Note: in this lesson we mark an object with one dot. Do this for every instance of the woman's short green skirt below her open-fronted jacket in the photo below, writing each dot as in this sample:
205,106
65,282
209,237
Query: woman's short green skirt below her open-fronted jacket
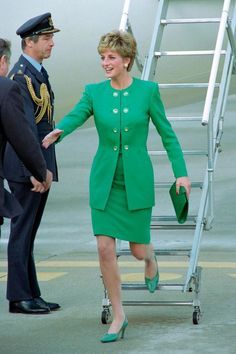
116,220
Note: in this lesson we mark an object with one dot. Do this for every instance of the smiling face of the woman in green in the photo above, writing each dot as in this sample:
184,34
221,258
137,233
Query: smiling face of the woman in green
113,64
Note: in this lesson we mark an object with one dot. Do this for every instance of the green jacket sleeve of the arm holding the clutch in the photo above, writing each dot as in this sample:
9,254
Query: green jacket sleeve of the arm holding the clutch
168,136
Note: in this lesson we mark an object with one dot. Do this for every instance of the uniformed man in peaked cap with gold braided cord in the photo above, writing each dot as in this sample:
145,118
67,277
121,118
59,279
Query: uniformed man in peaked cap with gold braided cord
22,285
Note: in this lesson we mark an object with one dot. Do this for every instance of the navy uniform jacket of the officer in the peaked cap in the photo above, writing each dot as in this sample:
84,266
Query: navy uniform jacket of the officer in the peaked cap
14,169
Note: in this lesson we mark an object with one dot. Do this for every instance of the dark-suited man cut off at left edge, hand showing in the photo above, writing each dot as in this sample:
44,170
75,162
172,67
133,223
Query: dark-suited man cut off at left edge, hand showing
15,129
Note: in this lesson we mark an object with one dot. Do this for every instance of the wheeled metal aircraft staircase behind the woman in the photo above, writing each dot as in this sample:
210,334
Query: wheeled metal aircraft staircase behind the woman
211,122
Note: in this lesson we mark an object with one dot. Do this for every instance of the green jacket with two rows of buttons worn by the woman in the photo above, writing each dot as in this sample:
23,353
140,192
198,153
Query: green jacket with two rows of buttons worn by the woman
122,121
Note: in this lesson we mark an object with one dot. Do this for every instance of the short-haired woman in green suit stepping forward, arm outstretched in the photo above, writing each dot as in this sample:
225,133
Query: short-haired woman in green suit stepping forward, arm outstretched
121,179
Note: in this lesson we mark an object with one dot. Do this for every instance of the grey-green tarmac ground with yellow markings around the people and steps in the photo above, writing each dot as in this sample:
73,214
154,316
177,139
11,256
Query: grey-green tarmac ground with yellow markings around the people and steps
68,270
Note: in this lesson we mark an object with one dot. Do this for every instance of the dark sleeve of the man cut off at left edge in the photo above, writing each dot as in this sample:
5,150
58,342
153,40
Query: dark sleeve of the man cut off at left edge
19,134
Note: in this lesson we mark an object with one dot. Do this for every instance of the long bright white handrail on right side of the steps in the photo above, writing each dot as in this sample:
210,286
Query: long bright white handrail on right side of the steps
215,63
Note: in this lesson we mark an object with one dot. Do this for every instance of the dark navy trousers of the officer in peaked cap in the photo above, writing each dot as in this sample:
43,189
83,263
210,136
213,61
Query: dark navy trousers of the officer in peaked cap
21,264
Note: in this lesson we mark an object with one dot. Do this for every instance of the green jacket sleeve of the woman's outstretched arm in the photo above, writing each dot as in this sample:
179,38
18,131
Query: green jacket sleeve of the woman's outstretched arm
77,116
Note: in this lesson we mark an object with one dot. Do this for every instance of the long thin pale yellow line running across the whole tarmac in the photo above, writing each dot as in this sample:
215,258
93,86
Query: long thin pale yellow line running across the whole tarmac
129,264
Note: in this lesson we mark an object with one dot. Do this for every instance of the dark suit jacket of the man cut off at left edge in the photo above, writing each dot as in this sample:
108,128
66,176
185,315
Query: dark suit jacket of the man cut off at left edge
12,121
